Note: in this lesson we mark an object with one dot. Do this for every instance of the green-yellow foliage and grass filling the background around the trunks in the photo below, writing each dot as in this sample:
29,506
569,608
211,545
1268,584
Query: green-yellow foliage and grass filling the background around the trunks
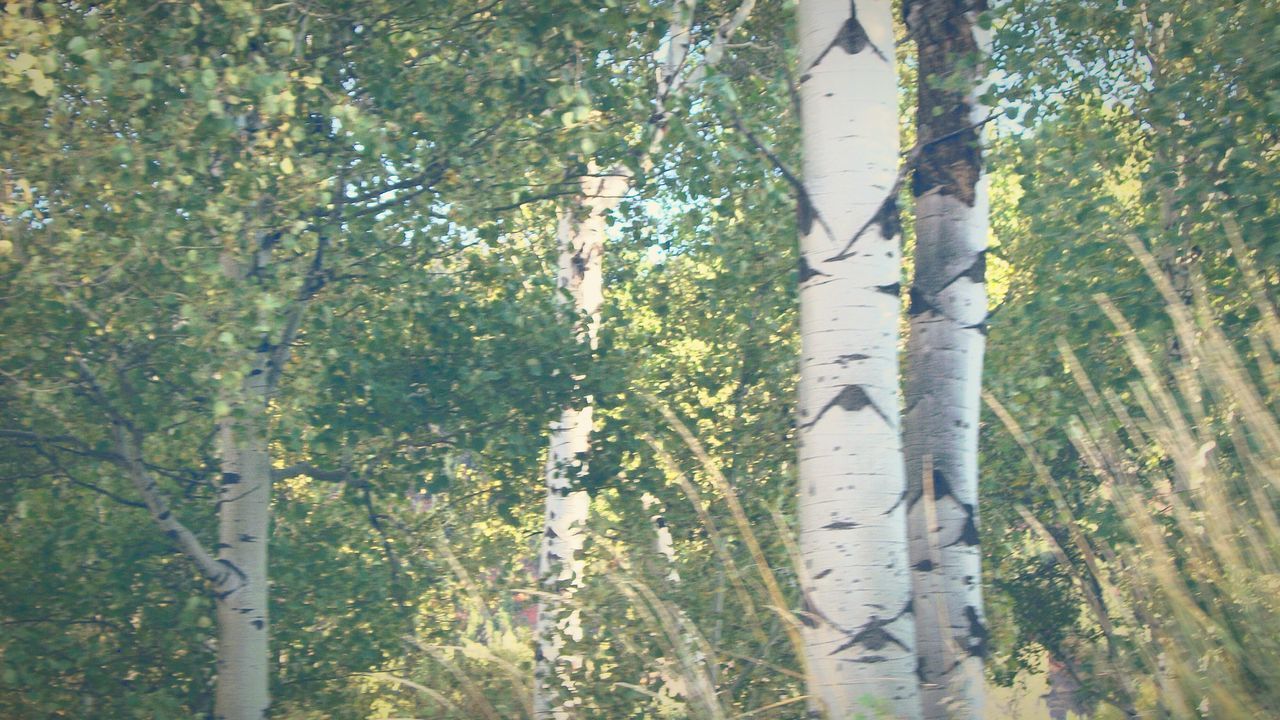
387,174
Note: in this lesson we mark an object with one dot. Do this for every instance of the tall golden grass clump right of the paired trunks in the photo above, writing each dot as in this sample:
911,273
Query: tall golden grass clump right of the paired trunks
1188,604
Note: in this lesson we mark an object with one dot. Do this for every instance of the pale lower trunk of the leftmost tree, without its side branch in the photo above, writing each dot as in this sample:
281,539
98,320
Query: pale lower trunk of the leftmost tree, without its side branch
244,518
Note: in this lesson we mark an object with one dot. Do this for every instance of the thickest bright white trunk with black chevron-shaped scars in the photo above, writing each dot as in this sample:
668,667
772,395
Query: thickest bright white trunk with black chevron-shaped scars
861,641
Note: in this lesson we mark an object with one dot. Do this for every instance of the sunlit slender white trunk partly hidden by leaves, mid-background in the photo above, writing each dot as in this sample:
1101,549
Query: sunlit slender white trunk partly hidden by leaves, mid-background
582,236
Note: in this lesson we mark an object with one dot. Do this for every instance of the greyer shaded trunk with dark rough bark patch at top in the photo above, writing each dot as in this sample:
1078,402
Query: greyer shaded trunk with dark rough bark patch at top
945,352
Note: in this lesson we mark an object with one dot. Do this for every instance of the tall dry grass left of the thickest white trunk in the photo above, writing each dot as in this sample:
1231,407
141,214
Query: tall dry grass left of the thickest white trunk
720,644
